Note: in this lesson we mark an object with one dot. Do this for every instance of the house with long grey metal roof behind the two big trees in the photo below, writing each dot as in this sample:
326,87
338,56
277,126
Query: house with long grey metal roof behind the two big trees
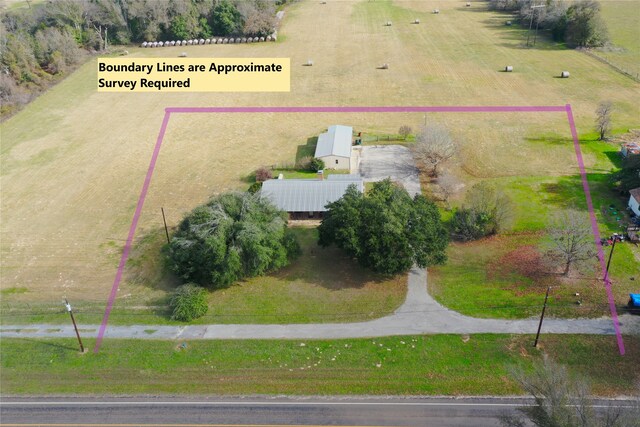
307,198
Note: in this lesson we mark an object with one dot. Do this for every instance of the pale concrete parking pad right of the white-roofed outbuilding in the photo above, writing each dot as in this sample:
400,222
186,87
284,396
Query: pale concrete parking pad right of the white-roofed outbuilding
378,162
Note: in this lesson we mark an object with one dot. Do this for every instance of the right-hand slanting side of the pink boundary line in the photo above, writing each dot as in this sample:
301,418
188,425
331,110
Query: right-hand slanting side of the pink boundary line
595,229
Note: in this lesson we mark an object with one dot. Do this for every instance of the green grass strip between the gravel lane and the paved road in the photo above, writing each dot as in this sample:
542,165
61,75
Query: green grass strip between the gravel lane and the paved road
410,365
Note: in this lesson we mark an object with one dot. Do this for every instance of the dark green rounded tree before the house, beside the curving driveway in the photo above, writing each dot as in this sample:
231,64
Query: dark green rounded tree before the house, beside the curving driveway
386,230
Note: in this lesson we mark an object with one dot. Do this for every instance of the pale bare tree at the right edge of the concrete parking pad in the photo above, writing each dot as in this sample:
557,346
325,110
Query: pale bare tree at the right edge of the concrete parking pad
433,146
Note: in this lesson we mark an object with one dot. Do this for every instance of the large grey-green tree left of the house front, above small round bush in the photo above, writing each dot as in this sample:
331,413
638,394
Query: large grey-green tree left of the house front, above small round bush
235,235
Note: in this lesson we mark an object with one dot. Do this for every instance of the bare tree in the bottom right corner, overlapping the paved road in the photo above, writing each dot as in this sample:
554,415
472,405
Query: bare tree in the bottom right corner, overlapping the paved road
563,401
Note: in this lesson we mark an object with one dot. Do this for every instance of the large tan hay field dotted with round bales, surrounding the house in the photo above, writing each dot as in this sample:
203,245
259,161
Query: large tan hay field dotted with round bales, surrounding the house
73,162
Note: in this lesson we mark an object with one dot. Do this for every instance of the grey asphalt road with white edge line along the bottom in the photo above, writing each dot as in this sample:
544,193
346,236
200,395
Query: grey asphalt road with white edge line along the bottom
260,411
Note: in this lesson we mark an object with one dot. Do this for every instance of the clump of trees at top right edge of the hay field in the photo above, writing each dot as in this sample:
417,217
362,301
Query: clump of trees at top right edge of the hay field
579,23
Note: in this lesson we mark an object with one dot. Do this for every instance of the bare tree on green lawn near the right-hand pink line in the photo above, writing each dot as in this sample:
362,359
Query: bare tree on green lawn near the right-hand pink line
572,240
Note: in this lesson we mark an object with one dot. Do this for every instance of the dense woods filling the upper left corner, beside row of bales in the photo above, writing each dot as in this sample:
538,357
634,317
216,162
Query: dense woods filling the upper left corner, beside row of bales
47,40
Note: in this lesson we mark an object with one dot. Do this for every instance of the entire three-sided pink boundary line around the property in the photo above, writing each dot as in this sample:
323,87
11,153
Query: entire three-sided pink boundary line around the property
459,109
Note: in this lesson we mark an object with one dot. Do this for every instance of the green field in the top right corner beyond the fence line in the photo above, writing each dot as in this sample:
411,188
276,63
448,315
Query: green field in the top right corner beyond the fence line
623,21
